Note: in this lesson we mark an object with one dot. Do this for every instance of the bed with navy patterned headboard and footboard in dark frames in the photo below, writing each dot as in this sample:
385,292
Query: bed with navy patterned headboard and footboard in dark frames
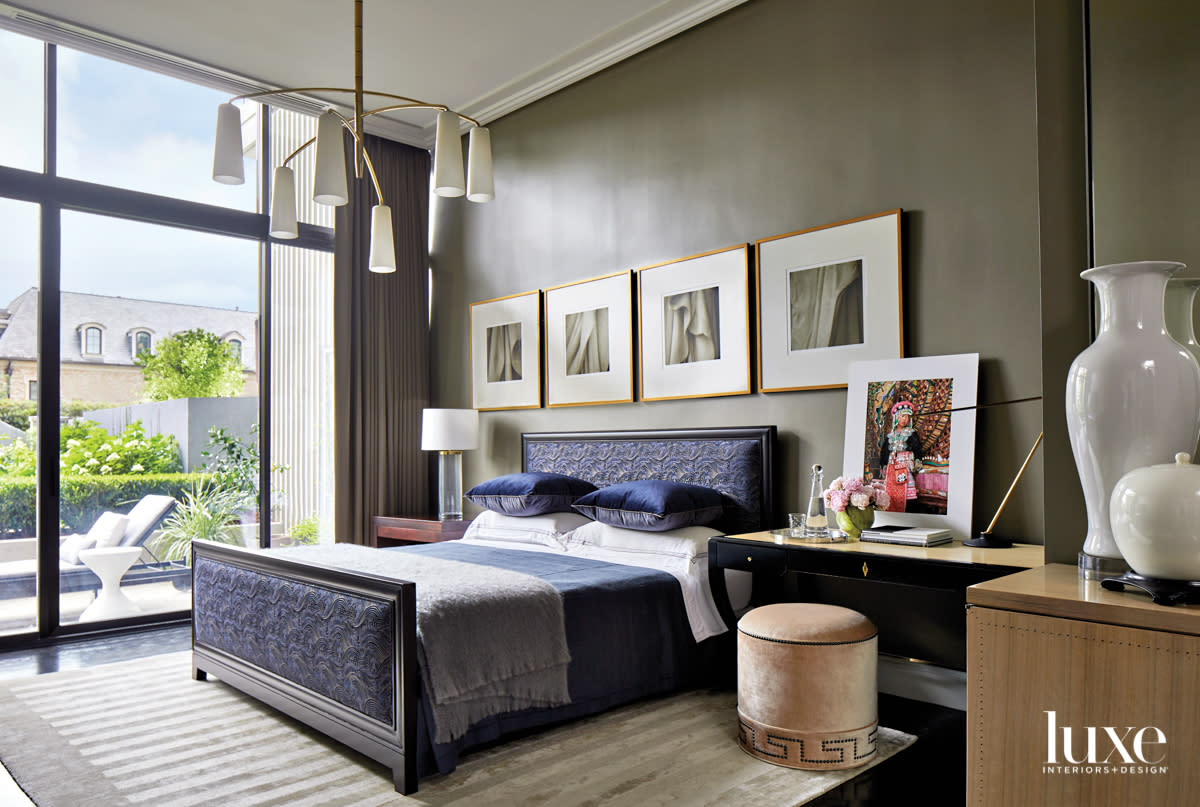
338,649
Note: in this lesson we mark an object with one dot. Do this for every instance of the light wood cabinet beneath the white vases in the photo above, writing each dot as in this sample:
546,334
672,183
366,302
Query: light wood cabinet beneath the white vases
1071,689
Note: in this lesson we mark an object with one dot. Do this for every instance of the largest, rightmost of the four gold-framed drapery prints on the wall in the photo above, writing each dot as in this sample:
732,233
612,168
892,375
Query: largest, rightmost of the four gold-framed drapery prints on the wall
827,297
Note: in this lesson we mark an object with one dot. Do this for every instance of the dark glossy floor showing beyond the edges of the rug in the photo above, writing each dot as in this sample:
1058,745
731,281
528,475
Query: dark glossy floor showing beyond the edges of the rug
932,772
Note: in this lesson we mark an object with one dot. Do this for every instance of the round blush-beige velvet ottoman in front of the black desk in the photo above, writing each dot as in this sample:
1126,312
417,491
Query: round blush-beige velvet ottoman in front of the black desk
807,694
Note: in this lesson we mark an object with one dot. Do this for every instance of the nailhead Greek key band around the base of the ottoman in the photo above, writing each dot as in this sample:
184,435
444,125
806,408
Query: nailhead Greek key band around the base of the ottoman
808,750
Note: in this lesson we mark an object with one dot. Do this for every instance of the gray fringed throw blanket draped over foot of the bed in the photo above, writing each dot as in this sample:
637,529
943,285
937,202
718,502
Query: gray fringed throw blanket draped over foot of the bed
489,641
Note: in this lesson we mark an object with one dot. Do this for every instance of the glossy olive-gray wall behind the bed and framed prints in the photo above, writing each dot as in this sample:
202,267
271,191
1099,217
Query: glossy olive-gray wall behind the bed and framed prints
776,117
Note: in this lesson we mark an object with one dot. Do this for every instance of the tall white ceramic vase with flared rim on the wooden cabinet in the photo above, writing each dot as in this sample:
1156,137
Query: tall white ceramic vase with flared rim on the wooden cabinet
1133,397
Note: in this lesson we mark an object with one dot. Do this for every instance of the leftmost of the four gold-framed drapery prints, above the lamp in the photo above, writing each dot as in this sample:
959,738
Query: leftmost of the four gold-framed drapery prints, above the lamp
506,352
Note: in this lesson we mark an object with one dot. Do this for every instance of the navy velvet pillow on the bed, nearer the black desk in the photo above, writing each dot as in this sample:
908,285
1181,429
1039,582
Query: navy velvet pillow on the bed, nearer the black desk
653,505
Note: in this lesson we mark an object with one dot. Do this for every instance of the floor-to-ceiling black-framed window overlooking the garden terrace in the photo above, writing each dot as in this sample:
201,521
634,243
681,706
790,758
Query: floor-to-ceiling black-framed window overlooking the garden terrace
137,343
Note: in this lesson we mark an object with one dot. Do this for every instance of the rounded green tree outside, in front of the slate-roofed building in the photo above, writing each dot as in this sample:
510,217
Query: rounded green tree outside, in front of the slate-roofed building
191,364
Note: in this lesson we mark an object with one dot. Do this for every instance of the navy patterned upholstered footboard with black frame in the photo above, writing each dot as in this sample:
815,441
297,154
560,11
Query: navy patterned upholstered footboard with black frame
333,649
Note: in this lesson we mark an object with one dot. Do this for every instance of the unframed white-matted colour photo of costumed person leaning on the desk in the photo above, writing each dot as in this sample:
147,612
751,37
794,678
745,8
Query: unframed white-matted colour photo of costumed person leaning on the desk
902,435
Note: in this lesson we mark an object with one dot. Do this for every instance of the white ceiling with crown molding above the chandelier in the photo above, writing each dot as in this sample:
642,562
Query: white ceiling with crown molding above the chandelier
482,58
